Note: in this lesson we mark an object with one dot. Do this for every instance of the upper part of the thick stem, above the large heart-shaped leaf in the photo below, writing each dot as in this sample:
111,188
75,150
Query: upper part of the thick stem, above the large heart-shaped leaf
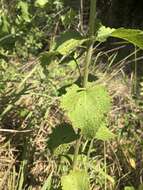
92,20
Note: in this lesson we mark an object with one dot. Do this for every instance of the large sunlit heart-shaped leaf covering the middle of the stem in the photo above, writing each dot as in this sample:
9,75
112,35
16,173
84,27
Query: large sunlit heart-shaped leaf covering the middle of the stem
86,108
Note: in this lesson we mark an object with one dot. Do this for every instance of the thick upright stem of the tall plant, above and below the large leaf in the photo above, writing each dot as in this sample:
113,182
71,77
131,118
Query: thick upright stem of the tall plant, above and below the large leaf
92,20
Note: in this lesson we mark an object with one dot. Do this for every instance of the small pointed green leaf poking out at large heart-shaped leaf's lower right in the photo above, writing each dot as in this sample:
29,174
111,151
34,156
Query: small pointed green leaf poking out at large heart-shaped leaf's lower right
104,134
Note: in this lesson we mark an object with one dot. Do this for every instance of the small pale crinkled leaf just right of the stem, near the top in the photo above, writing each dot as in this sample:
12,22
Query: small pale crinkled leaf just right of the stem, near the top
103,33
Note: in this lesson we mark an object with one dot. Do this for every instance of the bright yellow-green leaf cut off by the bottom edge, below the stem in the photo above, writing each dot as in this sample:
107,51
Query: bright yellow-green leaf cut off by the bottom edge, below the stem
75,180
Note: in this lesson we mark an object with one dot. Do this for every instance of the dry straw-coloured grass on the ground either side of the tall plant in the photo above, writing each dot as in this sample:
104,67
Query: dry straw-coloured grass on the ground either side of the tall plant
25,161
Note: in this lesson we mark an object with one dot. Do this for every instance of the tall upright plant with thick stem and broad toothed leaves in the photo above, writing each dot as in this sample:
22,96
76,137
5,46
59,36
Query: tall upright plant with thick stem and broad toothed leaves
87,105
